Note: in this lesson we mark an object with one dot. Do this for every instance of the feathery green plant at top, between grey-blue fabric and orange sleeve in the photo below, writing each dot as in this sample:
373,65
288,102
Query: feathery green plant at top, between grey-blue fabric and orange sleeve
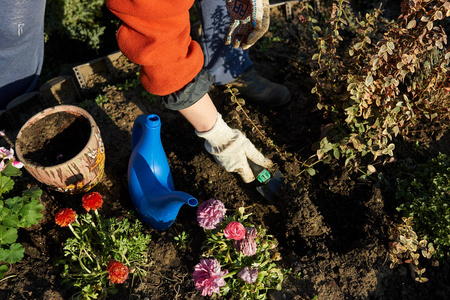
76,19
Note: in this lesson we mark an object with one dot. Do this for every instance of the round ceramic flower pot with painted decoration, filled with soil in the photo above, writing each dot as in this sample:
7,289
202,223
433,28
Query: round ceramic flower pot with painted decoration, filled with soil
62,148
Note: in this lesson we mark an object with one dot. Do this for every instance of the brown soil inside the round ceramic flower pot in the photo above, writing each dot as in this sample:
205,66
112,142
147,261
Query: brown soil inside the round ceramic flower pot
55,139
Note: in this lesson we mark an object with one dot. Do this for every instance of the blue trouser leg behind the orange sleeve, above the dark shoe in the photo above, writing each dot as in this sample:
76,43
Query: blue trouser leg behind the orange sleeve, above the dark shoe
223,62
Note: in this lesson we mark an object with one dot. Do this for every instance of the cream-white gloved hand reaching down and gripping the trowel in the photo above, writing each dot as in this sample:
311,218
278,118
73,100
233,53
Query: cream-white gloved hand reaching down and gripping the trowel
231,149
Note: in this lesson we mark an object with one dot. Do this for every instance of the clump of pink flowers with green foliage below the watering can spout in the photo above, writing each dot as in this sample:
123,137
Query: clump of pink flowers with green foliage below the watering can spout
239,257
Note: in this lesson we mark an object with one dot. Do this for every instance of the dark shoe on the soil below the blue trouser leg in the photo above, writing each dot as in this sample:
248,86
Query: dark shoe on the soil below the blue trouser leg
261,91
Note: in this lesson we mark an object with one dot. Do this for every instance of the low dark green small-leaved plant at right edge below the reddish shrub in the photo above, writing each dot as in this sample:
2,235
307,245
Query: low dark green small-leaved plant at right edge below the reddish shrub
425,195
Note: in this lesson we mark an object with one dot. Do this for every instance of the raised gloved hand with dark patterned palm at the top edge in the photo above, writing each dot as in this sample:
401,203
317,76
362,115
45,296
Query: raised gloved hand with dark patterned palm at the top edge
249,21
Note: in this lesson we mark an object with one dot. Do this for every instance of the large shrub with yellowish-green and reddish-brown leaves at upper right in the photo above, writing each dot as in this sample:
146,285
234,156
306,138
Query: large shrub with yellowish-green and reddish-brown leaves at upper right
376,79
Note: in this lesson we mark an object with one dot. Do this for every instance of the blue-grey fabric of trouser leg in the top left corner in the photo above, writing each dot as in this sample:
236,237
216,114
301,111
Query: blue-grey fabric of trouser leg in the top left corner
21,47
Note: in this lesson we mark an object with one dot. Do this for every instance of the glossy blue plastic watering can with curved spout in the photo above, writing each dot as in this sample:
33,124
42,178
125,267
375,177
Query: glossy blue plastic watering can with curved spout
149,178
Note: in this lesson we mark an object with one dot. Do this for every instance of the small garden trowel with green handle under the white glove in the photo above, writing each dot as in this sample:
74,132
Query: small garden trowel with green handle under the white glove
271,185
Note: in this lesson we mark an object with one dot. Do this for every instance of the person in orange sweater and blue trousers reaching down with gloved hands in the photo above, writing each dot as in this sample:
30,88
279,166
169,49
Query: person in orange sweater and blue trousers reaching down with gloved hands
156,35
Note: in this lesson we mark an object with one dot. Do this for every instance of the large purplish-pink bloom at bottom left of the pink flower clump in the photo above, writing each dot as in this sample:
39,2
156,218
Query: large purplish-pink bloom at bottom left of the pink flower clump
208,276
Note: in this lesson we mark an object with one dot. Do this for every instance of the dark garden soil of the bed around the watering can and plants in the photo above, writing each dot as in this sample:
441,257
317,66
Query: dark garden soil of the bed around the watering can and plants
332,228
